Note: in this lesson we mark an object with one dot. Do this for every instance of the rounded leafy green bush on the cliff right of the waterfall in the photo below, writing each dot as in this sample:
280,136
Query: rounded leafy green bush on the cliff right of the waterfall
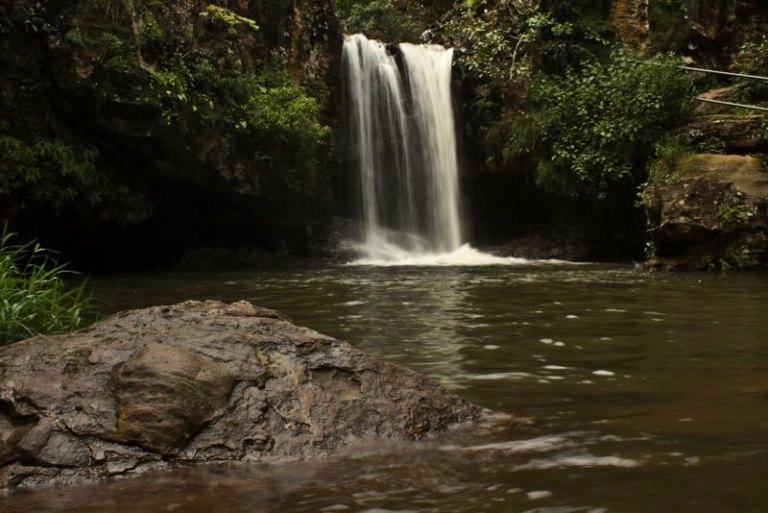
596,124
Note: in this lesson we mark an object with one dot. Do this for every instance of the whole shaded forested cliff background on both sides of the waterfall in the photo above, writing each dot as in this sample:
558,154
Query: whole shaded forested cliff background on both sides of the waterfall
136,133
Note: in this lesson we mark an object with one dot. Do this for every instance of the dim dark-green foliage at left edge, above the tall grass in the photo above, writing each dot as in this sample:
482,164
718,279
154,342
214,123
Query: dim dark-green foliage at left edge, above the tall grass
50,173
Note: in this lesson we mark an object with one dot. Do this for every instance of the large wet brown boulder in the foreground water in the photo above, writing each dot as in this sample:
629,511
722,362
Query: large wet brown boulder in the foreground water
198,383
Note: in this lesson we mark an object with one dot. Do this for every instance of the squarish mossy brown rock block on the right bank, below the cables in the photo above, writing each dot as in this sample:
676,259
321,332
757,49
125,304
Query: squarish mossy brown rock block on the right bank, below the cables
713,214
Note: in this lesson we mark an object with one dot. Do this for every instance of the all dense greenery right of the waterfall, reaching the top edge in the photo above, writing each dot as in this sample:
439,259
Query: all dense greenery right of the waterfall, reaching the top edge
565,94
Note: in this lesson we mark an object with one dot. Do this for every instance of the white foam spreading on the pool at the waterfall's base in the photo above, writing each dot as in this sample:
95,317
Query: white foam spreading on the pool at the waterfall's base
390,255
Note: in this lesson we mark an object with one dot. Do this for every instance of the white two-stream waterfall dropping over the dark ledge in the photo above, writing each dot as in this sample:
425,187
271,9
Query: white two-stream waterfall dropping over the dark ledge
403,130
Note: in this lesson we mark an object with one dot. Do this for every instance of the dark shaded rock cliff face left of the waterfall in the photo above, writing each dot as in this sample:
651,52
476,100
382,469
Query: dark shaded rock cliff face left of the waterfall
153,88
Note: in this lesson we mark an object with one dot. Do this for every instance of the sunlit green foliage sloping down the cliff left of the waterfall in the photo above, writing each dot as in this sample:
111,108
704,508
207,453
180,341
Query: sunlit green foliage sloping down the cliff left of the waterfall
267,125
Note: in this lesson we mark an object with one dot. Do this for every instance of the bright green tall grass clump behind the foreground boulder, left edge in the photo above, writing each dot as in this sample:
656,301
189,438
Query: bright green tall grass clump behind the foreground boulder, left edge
34,298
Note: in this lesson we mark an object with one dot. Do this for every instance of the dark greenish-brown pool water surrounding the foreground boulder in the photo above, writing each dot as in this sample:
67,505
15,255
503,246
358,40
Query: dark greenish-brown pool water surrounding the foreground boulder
647,393
